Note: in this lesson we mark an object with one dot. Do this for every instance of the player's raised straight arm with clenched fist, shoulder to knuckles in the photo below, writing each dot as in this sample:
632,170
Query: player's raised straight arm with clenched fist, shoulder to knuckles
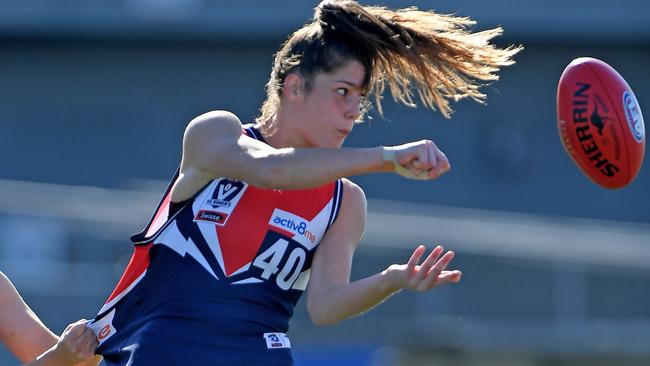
214,146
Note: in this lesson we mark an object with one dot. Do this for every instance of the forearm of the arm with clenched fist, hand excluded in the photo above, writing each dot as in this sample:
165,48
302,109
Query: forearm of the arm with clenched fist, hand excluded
309,167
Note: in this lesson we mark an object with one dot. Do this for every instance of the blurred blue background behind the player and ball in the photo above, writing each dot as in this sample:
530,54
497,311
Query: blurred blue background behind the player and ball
95,95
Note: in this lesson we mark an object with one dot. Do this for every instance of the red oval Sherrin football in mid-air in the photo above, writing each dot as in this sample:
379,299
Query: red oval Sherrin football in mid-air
600,122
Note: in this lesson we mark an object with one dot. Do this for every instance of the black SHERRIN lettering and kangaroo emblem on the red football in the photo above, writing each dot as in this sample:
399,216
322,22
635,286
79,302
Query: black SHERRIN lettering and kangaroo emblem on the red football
582,122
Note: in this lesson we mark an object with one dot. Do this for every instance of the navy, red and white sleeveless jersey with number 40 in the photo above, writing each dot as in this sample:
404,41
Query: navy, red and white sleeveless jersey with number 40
217,276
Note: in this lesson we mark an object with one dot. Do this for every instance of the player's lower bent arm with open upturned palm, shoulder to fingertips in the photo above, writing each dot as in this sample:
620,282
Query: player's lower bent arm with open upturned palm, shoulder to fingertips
331,297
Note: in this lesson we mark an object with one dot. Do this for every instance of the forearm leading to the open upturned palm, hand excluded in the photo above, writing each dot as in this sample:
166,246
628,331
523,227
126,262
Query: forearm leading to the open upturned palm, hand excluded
342,302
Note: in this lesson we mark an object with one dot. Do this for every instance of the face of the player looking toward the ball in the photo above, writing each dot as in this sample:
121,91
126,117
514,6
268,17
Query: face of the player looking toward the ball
330,108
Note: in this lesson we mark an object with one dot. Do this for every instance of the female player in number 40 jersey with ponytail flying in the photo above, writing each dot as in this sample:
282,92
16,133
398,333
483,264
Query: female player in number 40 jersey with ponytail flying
260,213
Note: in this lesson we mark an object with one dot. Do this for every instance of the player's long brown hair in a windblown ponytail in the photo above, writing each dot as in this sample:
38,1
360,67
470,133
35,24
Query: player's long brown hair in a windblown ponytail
408,49
